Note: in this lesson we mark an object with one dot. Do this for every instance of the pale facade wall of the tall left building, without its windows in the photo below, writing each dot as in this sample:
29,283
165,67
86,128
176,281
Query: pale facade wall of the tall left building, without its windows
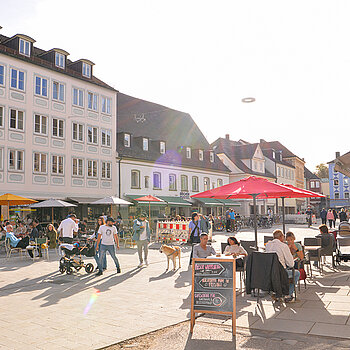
47,184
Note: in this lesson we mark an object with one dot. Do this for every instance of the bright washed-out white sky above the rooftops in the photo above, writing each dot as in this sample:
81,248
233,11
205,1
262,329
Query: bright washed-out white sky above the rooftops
203,57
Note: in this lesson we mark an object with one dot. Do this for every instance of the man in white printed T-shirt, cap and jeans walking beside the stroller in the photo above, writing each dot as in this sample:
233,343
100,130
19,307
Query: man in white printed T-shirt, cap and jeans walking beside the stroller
108,236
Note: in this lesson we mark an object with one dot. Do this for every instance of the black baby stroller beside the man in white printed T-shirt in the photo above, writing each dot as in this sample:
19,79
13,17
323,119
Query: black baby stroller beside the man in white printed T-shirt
72,258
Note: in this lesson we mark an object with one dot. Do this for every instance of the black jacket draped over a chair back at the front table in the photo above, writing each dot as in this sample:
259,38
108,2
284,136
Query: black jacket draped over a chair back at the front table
264,271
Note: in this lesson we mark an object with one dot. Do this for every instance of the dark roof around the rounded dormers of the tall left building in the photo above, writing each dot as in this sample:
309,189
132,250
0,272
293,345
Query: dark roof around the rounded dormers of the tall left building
35,59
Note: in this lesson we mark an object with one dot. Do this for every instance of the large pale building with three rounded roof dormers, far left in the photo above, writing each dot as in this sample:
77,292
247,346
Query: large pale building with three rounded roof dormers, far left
57,124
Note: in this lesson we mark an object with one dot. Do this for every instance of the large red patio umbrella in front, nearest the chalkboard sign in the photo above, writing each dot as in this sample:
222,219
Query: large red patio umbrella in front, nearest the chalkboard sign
251,187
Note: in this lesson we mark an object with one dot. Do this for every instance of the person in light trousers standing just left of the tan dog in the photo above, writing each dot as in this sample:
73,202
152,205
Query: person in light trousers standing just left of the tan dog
142,237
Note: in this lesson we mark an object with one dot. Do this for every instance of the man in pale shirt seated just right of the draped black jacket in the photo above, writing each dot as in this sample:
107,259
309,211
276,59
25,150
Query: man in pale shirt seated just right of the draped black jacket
285,257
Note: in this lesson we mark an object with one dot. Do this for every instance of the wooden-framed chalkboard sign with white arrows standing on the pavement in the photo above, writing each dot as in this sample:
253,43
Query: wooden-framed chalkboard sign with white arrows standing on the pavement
213,287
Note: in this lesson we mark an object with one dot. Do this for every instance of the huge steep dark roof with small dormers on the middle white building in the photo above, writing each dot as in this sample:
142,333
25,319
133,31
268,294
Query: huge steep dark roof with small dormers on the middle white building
142,118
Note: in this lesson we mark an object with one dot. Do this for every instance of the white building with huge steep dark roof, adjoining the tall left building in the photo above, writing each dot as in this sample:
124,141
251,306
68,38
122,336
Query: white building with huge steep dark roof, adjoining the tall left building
162,152
